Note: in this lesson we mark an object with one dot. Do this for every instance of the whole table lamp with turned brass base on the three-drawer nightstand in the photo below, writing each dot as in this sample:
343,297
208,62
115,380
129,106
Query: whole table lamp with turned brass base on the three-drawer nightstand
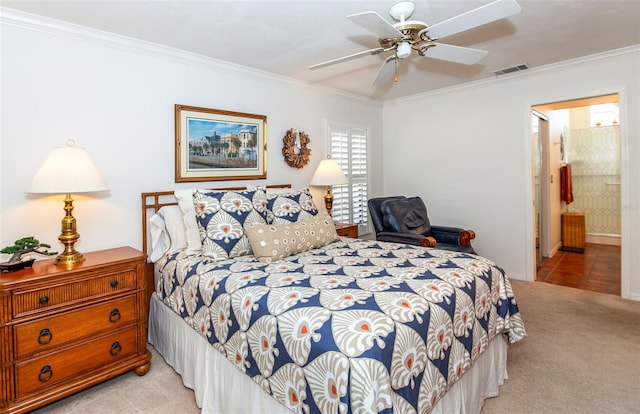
67,170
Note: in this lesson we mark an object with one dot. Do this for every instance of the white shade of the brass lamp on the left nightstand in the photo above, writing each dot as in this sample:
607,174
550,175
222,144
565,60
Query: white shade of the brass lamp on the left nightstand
67,170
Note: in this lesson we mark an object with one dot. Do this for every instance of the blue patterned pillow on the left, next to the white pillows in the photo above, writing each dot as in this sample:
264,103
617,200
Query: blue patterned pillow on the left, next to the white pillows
221,216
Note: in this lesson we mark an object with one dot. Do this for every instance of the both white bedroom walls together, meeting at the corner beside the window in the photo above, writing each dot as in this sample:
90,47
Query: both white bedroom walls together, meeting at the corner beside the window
465,150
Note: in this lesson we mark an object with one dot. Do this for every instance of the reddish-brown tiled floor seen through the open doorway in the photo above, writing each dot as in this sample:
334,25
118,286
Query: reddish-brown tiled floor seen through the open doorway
597,269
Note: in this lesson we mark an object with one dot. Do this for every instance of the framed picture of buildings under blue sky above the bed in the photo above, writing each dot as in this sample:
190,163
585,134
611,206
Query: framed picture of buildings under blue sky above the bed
214,145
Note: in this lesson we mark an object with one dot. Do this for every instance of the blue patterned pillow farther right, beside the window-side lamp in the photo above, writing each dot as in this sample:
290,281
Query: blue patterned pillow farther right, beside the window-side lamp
290,207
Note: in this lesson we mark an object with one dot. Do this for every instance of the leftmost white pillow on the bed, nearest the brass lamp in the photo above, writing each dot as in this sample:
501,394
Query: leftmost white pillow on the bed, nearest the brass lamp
167,232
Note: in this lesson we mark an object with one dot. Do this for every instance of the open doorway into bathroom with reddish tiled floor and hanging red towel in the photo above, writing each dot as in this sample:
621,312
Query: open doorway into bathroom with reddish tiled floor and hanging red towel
583,135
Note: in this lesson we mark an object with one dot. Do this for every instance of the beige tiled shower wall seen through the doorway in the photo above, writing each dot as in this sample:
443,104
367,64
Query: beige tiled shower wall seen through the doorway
594,154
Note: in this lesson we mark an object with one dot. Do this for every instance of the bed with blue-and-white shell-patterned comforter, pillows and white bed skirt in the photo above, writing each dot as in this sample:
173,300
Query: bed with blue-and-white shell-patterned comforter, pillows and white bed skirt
289,317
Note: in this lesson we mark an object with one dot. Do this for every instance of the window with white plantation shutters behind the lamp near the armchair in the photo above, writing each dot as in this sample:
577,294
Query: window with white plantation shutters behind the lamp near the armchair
348,146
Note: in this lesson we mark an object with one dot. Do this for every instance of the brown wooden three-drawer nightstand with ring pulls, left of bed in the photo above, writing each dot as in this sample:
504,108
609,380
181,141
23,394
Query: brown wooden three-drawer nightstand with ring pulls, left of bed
64,329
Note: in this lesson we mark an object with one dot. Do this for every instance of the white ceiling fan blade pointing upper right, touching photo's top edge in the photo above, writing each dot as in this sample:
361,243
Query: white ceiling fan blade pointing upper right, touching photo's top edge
488,13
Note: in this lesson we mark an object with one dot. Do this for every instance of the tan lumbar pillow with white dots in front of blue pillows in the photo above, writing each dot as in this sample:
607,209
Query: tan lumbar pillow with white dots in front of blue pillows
271,242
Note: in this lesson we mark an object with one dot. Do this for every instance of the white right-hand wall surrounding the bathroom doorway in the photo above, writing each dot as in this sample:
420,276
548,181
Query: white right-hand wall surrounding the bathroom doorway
467,152
